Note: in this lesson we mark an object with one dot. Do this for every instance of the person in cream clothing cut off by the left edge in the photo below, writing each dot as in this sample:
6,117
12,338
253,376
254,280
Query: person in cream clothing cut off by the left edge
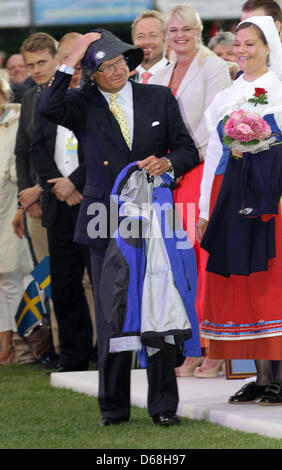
14,252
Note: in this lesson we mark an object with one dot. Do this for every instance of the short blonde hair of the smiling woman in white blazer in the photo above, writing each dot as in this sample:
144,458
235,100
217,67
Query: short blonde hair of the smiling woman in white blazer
191,18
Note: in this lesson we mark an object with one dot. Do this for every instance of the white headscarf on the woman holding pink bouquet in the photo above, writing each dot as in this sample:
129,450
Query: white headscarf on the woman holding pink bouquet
267,25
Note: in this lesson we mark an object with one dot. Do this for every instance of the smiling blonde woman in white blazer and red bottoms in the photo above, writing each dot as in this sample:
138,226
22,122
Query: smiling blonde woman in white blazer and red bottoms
195,77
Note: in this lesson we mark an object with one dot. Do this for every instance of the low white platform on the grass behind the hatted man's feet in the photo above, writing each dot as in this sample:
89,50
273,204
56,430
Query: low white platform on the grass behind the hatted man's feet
198,399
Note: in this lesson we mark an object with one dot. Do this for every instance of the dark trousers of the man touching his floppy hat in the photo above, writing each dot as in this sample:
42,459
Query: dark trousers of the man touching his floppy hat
114,368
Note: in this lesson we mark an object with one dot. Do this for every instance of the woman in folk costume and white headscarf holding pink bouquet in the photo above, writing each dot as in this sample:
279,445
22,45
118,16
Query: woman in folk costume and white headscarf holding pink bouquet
240,195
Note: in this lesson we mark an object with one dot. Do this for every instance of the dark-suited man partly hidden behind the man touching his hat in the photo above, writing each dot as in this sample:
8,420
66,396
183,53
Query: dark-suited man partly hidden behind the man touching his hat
61,169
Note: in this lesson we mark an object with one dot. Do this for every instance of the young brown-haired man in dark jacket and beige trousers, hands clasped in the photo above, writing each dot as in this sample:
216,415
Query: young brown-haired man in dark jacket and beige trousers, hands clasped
39,51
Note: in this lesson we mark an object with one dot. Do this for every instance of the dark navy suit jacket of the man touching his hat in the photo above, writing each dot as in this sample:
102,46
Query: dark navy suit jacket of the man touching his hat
87,113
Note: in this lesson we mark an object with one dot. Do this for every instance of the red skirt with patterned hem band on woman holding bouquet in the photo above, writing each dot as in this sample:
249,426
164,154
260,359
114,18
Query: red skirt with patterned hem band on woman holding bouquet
253,302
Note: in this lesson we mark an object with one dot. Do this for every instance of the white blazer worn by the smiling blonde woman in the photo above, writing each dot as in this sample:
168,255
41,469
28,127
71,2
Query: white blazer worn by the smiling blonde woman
199,86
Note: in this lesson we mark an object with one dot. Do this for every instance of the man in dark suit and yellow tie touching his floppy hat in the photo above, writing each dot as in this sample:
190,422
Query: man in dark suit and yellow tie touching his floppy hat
151,124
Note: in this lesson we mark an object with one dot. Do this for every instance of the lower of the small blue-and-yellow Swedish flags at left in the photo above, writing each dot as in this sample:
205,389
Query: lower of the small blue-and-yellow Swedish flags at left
30,309
